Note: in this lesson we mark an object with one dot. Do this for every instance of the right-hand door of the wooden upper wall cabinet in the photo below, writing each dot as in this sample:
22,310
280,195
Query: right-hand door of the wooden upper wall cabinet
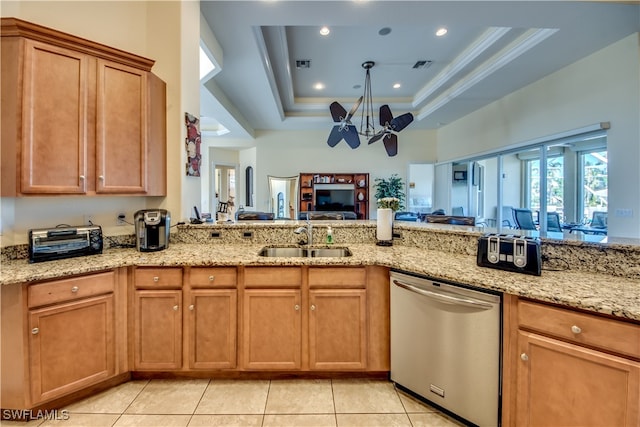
121,129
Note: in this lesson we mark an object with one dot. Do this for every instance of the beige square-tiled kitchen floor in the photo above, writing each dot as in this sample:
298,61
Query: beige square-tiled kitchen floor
203,402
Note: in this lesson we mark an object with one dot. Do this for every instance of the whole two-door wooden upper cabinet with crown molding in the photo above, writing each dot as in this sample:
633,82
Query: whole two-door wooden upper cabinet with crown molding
78,117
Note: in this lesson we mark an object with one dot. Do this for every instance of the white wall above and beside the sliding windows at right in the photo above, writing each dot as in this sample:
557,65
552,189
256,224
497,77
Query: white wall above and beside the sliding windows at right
604,86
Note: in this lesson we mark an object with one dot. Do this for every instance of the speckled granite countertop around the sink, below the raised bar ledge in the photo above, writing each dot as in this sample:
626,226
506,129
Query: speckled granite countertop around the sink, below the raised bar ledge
600,293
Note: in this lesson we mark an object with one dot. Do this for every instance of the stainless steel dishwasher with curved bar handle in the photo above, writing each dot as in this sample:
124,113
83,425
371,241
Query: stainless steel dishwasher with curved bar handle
446,346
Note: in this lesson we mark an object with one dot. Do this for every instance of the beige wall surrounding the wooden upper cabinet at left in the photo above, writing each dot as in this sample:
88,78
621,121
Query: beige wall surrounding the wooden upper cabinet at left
152,29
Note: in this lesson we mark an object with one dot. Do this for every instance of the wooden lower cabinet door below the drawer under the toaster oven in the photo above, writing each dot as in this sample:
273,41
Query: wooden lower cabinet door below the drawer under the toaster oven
72,346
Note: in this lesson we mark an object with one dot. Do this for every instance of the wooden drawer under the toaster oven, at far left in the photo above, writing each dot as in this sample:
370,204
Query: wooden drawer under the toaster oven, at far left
70,289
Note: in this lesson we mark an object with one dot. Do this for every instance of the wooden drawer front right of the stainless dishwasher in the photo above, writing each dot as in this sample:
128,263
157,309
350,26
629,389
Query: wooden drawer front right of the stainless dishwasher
607,334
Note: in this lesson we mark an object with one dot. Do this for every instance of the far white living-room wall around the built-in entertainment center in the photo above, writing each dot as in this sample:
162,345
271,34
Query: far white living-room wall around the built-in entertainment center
290,153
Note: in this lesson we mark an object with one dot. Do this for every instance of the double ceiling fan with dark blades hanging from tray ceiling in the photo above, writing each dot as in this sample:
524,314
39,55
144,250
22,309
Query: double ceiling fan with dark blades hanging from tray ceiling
344,129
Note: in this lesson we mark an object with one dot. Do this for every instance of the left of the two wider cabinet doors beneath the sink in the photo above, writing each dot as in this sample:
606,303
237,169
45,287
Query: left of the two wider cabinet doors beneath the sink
272,329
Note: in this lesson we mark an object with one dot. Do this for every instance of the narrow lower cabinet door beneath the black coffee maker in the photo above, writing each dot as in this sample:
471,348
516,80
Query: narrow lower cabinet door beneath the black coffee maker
158,329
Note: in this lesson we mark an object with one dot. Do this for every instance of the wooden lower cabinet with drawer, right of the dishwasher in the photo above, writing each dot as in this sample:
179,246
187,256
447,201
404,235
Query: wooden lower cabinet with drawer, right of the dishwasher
566,367
